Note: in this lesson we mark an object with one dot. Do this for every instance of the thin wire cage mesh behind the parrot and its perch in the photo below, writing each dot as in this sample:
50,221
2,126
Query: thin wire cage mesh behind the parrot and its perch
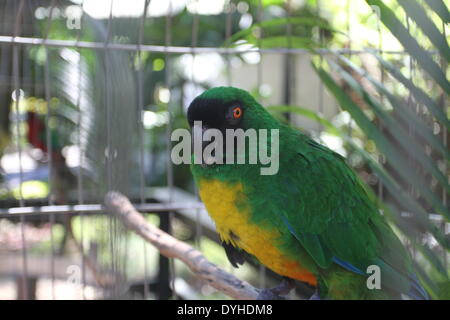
93,91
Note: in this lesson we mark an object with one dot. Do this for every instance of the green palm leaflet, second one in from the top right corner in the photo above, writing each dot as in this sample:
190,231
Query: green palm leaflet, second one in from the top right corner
418,14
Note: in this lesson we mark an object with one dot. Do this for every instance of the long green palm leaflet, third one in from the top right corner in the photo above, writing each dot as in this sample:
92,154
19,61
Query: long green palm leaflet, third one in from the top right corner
411,45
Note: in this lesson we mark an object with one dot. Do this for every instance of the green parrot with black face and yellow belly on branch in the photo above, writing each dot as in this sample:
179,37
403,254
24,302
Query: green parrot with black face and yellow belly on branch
311,221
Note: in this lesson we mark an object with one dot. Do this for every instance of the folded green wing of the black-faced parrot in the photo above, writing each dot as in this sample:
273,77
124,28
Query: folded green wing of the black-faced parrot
328,210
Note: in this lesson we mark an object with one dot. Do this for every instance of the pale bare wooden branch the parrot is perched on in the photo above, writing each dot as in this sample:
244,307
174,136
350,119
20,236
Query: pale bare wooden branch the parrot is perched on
120,206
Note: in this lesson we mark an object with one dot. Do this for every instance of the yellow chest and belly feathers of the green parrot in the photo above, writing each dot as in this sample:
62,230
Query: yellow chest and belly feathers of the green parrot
226,205
